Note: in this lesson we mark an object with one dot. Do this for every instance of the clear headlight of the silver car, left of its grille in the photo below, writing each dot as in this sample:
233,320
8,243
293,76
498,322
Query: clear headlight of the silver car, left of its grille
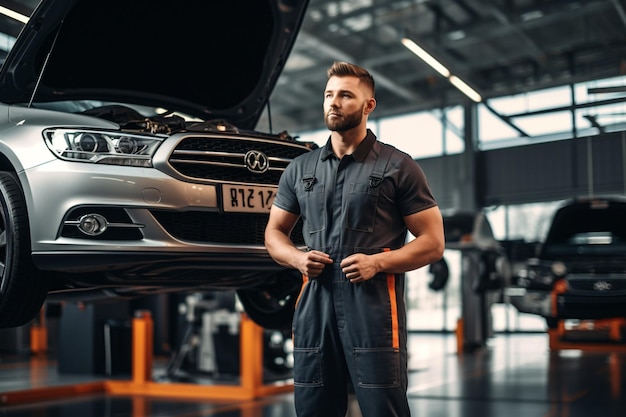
97,147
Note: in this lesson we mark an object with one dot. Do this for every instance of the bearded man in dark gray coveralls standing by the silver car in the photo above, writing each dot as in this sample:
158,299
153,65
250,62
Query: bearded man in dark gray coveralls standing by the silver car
357,198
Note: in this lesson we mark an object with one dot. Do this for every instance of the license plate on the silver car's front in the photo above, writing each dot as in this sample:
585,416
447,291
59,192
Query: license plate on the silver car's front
247,199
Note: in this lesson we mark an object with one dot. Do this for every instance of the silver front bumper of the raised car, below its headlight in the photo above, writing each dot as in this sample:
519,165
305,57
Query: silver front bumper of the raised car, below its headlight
165,229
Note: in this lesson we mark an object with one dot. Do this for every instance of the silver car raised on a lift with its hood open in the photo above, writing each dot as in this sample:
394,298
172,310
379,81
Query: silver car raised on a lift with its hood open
129,160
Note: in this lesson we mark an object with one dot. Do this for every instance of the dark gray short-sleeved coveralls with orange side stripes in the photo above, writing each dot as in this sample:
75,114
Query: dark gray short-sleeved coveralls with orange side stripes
343,330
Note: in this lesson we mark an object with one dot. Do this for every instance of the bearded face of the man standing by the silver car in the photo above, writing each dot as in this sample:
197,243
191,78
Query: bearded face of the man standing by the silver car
346,103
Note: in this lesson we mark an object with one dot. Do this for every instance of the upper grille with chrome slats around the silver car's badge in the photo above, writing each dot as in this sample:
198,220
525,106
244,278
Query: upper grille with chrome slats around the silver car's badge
222,158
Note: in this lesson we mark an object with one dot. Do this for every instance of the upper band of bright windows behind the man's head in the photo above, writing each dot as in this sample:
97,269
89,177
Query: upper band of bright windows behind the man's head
558,113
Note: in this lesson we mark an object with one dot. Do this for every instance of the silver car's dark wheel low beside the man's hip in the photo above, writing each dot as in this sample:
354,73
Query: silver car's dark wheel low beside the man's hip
272,306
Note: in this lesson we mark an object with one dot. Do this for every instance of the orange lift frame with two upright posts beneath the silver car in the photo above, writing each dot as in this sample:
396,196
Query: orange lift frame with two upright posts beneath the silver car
250,386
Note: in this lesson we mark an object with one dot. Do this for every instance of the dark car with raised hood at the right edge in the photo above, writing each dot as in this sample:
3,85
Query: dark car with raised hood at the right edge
579,271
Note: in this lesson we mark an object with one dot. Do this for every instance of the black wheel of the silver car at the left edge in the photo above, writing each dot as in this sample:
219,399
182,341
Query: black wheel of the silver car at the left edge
22,291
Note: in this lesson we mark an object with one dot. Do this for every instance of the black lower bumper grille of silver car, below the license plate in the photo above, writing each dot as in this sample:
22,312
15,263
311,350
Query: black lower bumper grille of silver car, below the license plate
219,228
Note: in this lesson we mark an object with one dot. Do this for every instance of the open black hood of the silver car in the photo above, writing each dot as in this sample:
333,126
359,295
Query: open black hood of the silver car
208,59
